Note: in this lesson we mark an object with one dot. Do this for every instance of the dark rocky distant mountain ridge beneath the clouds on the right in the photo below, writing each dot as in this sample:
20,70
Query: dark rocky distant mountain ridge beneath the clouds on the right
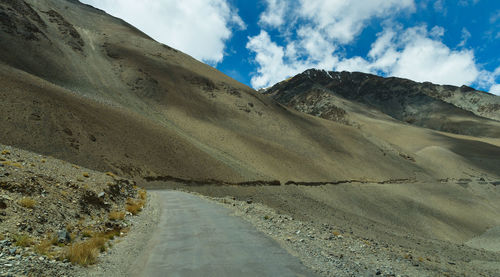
460,110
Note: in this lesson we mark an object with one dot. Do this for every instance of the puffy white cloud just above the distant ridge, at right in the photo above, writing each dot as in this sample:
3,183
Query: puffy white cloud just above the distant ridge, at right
416,54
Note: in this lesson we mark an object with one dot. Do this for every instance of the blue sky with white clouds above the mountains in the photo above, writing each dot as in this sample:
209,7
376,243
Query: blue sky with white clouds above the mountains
262,42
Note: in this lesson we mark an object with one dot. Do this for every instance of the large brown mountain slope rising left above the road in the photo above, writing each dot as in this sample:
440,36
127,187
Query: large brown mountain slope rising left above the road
87,87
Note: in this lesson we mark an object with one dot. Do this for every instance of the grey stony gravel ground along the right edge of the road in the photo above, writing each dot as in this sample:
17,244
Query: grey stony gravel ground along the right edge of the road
332,250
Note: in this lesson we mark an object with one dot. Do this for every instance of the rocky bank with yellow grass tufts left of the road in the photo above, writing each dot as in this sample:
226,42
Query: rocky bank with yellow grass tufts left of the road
55,216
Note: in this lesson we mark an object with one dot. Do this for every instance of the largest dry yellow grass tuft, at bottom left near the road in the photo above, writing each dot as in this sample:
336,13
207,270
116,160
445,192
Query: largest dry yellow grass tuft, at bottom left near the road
85,253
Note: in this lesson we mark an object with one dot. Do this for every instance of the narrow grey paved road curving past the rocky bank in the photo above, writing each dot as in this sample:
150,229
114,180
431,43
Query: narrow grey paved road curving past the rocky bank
196,237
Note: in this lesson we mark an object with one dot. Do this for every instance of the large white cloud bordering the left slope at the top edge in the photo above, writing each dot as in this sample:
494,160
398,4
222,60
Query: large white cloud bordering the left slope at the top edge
198,27
